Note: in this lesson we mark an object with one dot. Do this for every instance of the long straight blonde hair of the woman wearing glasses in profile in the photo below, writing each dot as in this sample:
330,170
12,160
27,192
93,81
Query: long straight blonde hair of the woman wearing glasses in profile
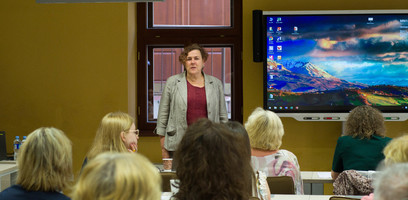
108,136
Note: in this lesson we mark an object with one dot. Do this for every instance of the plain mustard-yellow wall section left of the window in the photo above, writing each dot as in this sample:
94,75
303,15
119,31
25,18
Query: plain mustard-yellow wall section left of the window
62,65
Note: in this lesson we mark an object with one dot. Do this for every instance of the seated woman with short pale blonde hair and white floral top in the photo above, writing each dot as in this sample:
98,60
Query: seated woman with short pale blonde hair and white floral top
265,130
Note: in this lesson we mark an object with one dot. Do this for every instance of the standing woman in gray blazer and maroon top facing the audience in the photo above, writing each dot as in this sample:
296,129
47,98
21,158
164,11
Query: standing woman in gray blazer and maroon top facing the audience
188,96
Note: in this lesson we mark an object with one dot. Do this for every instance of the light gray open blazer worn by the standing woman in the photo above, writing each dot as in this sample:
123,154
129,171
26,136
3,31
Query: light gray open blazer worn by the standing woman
172,117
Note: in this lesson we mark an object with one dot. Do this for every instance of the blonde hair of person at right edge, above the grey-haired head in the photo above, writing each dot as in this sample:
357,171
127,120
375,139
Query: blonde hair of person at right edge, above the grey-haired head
397,150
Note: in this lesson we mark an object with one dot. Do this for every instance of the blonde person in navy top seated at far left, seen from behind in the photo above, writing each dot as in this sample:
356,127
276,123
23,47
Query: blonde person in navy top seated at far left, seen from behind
44,167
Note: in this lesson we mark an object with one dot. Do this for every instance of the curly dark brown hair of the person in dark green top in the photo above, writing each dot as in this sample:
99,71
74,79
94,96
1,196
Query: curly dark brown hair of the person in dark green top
364,121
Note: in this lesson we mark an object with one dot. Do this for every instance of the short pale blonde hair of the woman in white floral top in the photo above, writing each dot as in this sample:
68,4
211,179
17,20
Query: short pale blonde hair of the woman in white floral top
265,129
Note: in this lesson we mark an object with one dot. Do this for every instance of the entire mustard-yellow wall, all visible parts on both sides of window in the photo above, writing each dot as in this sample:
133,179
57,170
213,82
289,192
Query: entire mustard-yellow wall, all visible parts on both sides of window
66,65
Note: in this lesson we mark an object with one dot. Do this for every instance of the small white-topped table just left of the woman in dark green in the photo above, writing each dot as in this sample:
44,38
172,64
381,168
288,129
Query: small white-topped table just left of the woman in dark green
313,181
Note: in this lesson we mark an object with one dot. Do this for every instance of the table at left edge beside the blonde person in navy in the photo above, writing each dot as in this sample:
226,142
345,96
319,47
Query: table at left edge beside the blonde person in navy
8,174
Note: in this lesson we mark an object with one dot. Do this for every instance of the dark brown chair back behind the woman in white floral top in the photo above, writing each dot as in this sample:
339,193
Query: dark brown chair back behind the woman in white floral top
281,184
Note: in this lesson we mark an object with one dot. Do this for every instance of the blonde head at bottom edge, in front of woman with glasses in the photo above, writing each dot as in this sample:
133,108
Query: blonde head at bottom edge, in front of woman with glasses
118,176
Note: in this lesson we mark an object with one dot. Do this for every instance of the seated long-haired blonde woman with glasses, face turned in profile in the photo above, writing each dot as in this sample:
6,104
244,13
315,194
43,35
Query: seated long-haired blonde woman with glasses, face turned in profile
116,133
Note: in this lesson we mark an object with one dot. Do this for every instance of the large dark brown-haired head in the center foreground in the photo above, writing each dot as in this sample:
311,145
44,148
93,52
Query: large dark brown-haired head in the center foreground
210,164
